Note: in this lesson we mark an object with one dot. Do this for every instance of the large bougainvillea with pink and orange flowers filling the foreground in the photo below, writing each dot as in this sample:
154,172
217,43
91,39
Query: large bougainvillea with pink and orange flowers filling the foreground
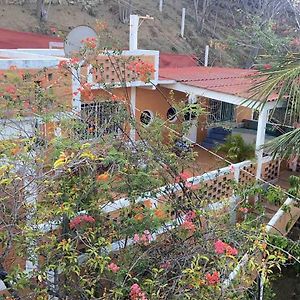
62,238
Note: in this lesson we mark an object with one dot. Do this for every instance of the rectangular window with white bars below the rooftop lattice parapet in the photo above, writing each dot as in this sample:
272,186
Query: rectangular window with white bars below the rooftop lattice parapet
101,118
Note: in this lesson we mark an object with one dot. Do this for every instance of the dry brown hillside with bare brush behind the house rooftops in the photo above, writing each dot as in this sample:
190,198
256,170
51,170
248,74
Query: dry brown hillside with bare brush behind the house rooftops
163,33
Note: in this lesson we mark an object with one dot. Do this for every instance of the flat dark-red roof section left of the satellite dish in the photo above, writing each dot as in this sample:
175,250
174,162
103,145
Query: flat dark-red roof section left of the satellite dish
10,39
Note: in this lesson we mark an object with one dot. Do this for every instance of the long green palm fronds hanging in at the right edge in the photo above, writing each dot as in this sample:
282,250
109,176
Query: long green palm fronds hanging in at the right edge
282,77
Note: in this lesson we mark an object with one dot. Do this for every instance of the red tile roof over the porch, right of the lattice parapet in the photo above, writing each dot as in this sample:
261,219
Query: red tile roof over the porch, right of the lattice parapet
231,81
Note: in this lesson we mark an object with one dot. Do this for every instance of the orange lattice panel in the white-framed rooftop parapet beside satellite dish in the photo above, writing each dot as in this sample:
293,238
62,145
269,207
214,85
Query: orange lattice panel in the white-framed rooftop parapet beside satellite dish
111,69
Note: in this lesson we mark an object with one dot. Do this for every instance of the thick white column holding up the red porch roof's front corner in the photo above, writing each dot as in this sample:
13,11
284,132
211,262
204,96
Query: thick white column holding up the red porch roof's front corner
260,138
